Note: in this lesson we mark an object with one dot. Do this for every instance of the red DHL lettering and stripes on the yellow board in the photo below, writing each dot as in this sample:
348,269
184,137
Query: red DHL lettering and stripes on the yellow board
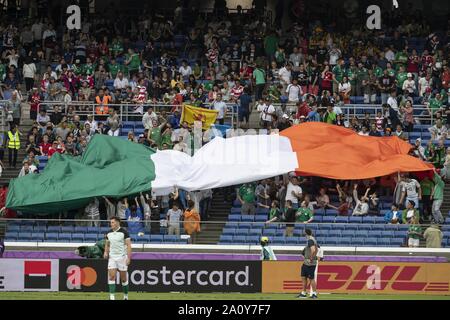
370,277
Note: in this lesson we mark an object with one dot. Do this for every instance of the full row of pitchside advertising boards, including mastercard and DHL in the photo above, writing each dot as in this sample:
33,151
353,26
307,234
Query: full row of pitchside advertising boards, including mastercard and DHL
370,277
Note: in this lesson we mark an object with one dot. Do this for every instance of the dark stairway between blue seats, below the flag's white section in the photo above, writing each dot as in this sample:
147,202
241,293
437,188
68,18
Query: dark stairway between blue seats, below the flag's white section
218,215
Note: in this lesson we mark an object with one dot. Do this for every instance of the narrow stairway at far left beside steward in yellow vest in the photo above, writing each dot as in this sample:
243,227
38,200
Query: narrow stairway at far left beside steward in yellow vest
25,126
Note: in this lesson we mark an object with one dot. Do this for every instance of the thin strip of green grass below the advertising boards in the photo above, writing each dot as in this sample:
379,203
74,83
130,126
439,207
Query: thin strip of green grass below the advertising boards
201,296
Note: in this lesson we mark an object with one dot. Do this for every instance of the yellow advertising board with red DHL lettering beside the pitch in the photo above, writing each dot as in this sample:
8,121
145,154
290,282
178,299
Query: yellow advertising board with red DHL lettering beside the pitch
360,277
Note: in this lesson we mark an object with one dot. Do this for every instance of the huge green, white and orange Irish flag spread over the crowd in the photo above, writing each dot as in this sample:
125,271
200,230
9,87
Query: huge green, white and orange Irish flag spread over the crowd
113,167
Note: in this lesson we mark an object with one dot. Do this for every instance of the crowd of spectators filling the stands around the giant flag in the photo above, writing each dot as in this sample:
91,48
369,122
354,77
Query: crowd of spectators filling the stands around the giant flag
306,72
